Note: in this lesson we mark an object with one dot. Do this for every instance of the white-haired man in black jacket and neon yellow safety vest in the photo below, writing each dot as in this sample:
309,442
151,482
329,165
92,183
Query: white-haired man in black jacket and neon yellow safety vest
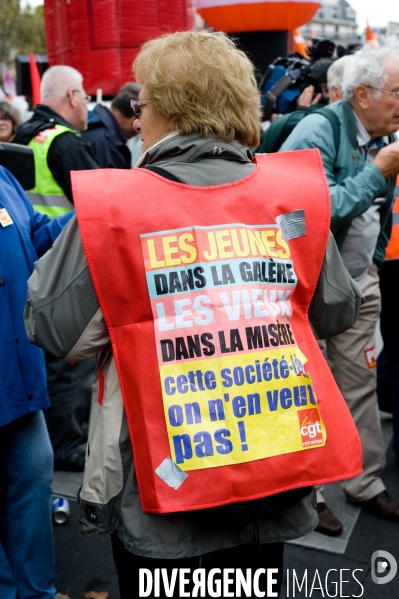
54,134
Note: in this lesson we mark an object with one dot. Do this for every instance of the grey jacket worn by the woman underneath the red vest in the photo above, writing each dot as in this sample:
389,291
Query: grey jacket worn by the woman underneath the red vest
63,315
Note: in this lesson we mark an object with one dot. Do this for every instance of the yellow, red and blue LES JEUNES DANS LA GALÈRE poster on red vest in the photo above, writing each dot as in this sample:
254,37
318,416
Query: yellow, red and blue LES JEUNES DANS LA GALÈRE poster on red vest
234,384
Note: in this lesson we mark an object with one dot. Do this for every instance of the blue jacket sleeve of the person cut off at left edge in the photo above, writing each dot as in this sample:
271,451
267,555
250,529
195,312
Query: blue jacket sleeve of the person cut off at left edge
43,230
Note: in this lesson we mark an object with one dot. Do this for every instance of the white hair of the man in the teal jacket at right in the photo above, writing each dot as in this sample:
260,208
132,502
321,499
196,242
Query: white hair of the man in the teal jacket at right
367,68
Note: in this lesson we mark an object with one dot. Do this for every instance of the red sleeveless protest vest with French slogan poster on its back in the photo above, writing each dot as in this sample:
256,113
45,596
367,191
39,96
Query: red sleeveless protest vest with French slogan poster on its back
205,291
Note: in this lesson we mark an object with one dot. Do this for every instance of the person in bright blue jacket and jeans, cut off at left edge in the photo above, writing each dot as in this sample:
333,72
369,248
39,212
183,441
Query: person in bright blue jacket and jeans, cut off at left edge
26,457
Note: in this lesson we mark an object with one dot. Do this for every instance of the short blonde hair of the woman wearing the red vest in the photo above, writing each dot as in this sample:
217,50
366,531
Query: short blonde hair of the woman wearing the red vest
204,82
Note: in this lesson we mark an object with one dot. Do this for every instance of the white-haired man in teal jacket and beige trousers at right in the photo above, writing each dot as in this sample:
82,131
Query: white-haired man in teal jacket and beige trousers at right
361,174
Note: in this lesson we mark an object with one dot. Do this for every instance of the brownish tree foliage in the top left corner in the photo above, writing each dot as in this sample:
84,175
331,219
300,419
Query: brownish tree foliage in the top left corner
21,30
